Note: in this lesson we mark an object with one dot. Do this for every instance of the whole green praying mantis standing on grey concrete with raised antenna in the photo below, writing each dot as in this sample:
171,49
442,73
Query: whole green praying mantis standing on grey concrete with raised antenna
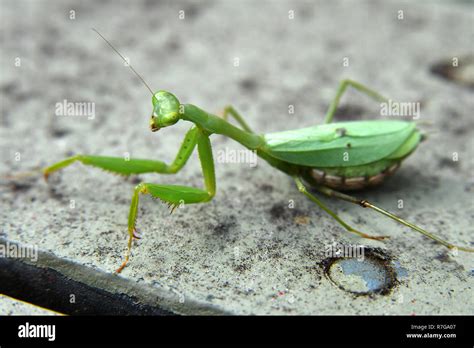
331,157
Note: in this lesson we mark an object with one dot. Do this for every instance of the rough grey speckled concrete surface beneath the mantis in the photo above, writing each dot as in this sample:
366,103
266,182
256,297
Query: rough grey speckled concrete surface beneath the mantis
246,252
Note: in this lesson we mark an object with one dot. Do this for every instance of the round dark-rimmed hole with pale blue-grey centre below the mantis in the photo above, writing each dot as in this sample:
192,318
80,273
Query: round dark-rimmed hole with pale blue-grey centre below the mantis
373,272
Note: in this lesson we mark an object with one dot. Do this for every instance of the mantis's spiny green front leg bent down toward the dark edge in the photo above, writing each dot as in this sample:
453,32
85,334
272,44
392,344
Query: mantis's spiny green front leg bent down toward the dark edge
175,195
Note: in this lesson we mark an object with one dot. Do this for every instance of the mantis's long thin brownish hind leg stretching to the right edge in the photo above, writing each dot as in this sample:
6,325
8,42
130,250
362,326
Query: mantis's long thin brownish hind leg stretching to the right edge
366,204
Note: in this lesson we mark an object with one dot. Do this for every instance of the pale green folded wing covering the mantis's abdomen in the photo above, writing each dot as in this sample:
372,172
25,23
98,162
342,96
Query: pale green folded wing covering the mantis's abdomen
344,144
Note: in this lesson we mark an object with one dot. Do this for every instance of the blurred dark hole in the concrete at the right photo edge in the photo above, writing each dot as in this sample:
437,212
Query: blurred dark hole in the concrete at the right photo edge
457,70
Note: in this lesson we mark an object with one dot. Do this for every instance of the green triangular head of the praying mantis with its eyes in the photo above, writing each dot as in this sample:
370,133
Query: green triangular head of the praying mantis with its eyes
166,110
